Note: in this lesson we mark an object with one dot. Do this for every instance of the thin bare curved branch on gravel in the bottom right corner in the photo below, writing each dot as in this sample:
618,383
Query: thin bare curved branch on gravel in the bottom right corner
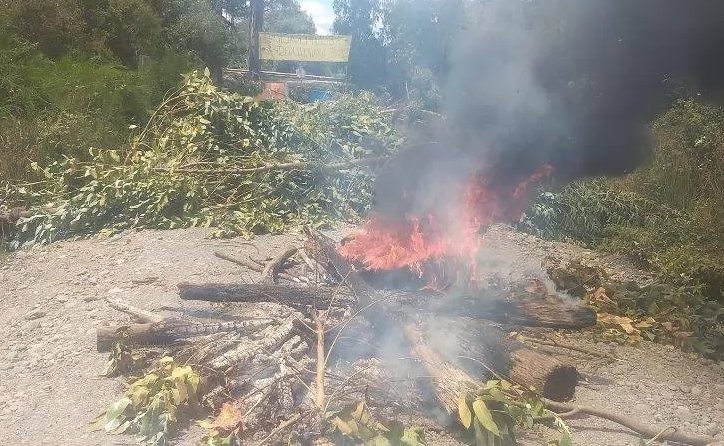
671,434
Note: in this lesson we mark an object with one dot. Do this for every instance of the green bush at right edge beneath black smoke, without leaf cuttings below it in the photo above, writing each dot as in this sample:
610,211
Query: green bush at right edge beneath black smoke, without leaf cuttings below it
668,215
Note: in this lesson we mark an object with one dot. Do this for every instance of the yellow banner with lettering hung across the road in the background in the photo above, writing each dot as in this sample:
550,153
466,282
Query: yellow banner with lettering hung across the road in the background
304,47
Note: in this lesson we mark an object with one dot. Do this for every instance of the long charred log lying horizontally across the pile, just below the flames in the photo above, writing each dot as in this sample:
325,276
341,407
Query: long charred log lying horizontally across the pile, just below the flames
528,312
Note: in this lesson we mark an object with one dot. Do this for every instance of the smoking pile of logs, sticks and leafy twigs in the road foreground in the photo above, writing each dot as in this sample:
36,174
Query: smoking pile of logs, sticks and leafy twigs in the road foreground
289,366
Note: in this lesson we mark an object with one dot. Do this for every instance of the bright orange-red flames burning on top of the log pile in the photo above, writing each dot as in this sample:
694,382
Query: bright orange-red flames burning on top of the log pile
451,230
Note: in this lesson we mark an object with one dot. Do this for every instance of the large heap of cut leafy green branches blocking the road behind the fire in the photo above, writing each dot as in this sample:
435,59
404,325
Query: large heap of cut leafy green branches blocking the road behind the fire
186,167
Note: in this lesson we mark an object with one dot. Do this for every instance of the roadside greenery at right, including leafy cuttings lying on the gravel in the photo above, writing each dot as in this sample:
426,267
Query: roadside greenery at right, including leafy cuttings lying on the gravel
666,216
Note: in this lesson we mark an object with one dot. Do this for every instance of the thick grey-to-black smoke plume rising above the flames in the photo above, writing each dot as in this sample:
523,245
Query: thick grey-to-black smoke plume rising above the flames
571,83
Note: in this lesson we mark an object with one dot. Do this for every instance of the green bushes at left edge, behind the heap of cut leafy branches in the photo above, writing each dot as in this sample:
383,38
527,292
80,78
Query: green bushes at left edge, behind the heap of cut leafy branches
55,108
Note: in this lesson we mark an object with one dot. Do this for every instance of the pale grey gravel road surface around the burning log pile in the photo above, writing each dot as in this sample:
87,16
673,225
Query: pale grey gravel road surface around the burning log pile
52,301
